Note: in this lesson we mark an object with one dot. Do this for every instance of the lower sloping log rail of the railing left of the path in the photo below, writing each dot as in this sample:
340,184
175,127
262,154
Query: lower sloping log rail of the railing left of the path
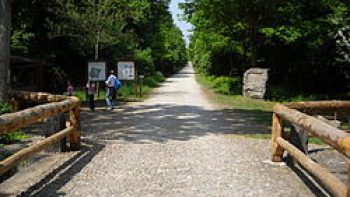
25,153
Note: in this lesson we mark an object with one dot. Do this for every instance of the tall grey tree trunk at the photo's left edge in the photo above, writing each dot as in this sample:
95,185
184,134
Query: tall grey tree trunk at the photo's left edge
5,25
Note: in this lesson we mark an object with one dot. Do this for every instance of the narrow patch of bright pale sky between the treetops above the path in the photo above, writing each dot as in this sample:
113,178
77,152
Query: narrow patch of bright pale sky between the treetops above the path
183,25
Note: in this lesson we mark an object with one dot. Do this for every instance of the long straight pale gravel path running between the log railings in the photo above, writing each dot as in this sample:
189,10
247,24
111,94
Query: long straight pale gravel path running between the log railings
173,144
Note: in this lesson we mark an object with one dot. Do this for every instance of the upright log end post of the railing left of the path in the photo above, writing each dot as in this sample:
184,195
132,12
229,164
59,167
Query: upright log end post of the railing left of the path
75,122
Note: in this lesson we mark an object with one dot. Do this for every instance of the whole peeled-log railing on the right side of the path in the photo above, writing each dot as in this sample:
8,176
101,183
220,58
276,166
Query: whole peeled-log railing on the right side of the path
336,138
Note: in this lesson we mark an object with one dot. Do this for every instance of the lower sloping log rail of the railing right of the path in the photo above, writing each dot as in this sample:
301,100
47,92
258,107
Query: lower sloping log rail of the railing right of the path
331,182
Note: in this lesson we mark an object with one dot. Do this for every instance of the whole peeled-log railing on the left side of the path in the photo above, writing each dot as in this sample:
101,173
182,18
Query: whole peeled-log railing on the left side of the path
51,105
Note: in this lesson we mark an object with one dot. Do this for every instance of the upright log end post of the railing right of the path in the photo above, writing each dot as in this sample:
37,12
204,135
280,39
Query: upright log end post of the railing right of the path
277,131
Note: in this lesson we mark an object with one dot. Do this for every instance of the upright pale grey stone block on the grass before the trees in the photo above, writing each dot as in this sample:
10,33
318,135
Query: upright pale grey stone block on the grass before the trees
254,83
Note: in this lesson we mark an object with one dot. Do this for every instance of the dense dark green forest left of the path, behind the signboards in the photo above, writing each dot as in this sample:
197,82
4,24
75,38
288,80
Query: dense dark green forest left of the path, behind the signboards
66,34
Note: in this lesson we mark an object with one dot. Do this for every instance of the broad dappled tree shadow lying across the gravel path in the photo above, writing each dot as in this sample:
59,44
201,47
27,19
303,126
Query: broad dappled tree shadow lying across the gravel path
163,122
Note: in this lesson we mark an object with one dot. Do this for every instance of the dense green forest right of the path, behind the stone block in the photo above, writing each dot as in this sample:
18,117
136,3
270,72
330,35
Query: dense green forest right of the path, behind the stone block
304,43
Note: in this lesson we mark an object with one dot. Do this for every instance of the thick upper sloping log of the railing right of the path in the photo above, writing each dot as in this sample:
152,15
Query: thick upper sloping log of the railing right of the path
334,137
